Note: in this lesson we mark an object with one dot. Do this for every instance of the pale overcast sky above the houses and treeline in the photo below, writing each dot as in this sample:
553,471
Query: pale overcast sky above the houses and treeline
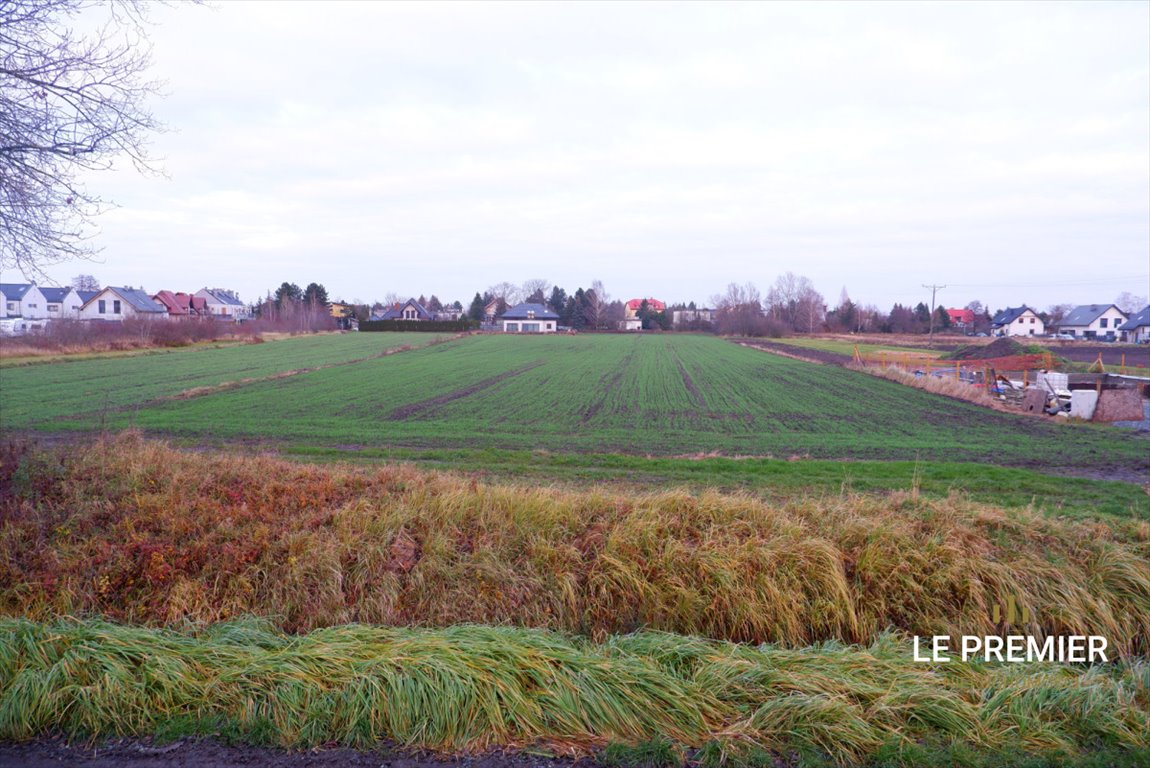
1002,150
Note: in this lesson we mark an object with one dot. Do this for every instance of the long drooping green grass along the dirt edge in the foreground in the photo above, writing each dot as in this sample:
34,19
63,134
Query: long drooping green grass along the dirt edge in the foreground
477,688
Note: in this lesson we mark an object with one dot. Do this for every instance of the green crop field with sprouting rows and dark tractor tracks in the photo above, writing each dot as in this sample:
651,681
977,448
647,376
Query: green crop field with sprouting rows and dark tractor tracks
646,395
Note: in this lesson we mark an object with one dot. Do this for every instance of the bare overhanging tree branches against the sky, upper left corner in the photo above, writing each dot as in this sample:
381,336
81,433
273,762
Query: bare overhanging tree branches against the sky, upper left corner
68,104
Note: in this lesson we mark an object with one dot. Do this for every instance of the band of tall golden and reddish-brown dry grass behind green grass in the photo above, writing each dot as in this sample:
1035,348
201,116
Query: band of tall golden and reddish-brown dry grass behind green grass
141,533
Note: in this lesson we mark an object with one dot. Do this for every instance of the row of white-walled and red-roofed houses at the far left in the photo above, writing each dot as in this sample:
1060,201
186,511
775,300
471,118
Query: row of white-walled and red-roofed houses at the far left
36,305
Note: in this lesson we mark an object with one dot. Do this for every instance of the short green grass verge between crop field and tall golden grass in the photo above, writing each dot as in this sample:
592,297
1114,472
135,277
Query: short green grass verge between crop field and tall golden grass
778,480
